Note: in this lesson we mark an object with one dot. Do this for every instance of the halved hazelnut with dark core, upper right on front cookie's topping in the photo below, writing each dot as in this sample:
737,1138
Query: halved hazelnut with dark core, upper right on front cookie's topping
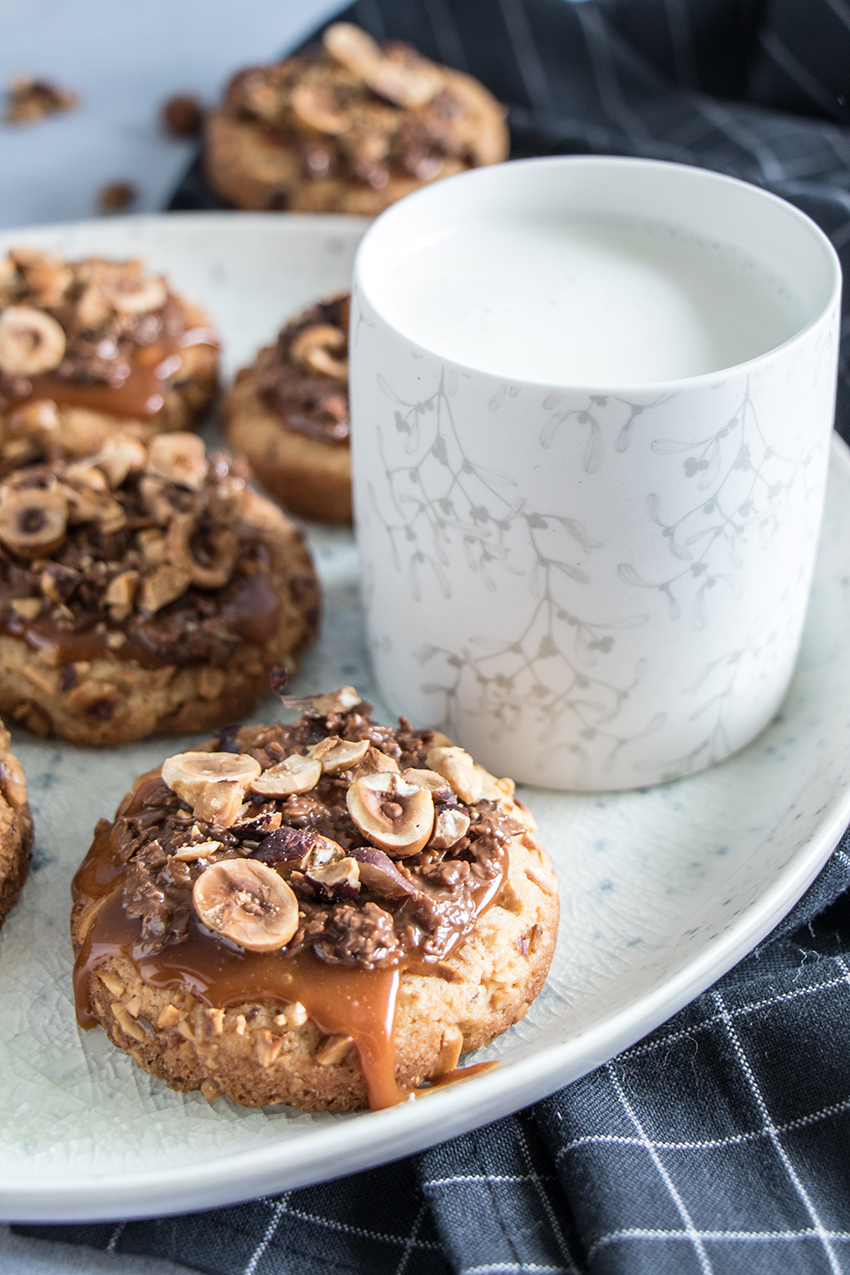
396,817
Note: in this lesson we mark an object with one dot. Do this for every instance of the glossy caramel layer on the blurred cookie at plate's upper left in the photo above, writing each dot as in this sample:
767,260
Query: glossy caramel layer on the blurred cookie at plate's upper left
142,395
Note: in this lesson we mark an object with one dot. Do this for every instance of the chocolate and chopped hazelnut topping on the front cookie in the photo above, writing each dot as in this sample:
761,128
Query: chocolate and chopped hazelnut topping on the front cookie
359,905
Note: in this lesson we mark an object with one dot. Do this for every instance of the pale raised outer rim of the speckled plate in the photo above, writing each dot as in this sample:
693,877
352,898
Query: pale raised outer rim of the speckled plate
338,1149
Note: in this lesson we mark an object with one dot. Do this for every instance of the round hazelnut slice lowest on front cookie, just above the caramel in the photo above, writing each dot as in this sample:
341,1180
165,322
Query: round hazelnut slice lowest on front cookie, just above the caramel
248,903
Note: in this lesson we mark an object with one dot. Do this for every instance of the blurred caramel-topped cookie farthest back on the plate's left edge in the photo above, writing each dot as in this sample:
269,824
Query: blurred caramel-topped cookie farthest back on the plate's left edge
89,347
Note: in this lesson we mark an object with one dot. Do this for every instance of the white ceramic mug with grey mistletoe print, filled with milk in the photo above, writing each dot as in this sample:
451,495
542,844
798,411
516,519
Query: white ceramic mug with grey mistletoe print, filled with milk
589,586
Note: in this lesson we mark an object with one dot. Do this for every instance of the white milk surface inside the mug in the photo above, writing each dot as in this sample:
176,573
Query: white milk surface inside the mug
586,300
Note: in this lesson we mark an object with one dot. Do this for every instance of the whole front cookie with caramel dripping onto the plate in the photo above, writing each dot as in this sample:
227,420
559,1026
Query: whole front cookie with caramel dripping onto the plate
327,914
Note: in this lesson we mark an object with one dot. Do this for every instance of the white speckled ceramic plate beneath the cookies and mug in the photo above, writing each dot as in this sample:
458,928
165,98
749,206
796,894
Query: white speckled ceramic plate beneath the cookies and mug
663,891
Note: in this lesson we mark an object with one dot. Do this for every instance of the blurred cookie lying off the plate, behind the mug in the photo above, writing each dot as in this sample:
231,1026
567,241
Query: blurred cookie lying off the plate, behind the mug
349,128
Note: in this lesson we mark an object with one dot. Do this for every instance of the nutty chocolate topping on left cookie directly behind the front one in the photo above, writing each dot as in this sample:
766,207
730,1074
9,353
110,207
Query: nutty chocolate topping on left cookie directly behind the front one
143,554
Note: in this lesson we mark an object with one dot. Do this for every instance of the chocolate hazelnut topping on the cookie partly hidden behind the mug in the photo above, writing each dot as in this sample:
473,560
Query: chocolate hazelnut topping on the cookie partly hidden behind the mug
304,378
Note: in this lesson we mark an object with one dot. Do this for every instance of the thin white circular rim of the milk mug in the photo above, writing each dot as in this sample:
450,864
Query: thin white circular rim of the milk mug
442,192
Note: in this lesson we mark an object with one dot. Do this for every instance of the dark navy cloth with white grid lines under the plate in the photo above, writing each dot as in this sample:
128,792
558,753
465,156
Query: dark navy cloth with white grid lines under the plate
722,1143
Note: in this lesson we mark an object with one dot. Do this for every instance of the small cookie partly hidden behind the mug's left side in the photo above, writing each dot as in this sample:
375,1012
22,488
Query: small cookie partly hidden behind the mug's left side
289,415
